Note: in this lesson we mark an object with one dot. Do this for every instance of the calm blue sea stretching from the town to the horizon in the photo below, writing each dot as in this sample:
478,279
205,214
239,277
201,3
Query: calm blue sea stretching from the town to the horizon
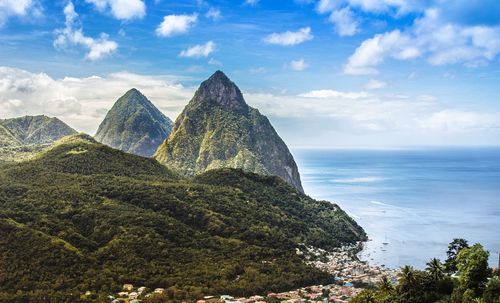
412,203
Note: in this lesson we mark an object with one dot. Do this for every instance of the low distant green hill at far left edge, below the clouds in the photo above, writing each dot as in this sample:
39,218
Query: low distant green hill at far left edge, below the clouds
32,130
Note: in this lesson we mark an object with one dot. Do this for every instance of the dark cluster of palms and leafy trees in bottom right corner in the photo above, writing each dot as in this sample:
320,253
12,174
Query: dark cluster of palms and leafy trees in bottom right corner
463,278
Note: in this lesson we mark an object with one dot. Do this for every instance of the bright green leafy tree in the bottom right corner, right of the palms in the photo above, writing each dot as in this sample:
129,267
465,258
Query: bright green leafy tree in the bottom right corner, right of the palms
472,263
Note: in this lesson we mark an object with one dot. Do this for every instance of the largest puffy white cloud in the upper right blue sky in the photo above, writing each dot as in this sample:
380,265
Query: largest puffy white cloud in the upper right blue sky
430,36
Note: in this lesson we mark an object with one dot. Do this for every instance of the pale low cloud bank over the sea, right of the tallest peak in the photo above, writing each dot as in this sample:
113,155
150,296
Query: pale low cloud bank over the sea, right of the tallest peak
330,117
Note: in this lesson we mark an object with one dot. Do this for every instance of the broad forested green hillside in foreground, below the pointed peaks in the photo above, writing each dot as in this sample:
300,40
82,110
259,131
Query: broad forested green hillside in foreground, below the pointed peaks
82,216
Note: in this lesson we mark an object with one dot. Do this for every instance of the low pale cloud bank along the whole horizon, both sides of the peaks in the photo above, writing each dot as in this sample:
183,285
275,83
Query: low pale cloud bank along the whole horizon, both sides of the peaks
319,116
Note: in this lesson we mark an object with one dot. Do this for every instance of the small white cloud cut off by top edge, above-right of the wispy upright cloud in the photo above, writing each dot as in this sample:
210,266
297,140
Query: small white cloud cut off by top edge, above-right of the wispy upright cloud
121,9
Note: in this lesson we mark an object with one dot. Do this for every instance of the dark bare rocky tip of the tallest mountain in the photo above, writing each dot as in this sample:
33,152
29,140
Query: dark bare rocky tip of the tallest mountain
219,89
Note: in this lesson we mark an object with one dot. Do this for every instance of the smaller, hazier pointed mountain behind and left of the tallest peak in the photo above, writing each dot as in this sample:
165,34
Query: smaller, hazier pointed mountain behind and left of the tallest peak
134,125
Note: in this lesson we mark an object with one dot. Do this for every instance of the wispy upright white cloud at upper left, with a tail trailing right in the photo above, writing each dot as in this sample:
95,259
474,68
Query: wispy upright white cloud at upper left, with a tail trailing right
73,35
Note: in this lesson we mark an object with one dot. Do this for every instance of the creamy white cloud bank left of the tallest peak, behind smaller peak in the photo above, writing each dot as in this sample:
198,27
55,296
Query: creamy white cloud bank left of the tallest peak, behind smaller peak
83,102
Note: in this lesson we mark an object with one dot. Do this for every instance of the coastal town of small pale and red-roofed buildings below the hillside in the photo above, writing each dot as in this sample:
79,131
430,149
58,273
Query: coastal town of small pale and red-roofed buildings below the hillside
351,277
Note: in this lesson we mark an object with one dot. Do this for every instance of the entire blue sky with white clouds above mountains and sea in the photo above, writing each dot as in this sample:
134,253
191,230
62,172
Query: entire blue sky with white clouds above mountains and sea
327,73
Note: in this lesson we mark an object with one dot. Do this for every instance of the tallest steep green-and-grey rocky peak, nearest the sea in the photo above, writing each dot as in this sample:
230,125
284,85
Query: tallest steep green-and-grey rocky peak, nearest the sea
217,129
